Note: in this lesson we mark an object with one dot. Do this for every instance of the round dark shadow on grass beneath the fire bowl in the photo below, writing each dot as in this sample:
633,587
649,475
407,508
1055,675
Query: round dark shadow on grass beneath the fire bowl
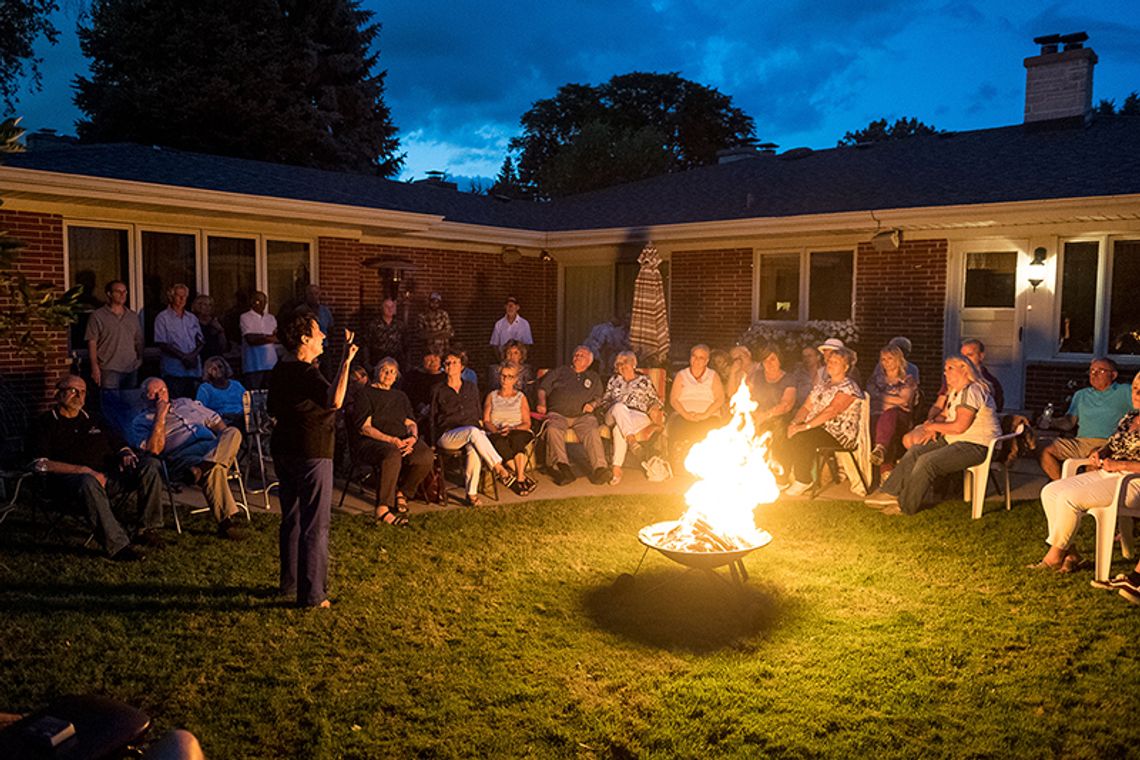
688,610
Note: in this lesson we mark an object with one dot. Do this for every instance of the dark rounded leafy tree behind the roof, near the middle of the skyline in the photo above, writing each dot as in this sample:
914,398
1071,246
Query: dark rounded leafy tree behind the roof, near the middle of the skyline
584,127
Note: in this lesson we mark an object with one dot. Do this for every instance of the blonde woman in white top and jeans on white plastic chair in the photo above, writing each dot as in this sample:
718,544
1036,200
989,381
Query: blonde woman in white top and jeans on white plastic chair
951,443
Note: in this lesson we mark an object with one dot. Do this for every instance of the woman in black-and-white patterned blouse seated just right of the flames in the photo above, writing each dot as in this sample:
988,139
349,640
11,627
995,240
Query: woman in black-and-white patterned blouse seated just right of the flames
828,419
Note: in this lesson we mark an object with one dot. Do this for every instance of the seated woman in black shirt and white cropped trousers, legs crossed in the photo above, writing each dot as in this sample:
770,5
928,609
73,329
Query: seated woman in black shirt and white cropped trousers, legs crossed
455,419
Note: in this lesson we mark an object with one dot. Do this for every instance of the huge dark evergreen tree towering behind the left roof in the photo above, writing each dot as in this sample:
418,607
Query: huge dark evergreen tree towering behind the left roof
289,81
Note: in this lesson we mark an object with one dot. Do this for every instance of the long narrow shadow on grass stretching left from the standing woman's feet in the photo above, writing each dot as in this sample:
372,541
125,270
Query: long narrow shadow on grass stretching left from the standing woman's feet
96,598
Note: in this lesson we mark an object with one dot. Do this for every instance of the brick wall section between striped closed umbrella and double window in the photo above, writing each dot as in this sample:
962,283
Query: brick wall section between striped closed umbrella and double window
711,298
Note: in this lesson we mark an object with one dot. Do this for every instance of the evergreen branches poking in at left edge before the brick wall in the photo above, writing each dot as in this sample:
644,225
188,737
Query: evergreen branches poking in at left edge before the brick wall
27,306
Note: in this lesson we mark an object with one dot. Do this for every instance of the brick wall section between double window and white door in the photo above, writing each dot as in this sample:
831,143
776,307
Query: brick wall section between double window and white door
903,293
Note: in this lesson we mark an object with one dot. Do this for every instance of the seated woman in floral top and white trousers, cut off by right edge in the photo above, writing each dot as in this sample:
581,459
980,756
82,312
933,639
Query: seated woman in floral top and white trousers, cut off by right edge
1068,501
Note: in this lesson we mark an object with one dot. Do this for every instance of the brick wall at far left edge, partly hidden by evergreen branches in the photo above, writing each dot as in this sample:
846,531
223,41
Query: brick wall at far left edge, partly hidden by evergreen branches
31,380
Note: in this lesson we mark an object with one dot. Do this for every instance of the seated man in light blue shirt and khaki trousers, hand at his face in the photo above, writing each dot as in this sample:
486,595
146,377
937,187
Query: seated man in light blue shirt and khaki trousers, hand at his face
197,445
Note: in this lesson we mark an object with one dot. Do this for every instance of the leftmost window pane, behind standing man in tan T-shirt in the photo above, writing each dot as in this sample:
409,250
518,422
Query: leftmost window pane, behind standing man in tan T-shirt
96,256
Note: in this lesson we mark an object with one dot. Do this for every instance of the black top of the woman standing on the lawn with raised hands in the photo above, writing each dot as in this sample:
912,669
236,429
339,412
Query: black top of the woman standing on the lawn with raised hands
299,402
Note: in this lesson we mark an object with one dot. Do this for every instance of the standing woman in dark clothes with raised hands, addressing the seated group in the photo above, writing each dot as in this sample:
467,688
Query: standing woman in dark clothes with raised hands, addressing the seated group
305,406
